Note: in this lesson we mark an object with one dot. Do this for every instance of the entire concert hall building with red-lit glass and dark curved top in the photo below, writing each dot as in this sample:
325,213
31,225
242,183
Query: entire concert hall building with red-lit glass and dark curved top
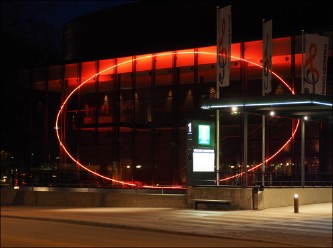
135,75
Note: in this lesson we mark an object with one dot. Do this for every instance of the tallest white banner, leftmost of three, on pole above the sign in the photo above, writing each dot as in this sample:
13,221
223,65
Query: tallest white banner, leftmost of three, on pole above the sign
223,45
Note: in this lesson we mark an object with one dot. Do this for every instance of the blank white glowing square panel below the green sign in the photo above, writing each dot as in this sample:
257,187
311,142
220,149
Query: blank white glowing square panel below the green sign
203,160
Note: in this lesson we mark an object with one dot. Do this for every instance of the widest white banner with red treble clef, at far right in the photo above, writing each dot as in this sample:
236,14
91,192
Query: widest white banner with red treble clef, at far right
315,64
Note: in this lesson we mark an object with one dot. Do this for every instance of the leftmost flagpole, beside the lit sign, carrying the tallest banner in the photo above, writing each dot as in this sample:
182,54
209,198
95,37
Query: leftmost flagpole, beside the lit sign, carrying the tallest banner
217,111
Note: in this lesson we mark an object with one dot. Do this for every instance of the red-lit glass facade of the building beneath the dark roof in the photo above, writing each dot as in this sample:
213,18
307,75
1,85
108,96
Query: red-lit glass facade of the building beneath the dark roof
126,118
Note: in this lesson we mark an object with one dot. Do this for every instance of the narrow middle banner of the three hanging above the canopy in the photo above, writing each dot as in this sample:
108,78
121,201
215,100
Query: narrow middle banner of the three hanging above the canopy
267,57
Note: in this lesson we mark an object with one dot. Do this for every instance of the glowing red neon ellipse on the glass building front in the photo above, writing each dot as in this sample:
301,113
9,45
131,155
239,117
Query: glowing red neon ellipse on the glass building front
149,57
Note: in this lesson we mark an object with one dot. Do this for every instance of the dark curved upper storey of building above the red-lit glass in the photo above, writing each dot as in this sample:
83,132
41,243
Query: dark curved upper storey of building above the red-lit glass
155,26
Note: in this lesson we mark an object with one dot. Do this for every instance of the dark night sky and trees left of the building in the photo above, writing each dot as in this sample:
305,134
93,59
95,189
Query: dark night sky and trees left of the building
30,34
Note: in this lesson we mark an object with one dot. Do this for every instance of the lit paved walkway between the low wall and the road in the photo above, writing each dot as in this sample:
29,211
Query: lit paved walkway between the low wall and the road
311,227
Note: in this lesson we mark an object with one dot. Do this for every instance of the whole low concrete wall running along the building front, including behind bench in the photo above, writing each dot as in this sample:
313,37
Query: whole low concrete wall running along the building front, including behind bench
242,198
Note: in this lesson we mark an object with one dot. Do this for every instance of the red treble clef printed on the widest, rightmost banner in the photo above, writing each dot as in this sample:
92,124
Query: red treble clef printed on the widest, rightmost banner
311,73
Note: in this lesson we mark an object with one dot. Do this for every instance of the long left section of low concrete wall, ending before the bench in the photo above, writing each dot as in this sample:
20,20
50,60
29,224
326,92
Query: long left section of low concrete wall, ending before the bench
91,199
